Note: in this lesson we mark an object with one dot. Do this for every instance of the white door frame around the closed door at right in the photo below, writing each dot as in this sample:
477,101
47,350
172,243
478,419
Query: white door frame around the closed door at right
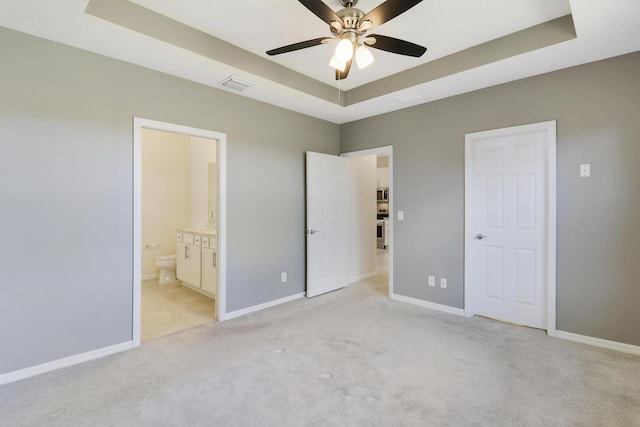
550,205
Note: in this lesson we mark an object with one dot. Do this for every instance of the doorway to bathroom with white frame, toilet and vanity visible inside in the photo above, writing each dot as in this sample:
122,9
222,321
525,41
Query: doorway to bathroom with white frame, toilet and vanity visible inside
179,221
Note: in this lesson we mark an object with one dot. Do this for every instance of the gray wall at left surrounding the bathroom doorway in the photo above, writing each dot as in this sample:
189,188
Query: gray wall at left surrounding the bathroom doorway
66,193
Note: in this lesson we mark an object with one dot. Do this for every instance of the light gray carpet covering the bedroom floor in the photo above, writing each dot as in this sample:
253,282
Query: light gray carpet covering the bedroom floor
349,358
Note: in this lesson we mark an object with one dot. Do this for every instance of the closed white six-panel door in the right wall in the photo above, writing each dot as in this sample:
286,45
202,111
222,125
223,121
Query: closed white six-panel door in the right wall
508,225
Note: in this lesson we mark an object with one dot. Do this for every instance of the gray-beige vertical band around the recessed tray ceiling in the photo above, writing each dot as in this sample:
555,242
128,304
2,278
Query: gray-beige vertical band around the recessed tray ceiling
152,24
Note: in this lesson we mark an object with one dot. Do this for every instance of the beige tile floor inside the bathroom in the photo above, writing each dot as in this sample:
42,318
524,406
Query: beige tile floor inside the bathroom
171,307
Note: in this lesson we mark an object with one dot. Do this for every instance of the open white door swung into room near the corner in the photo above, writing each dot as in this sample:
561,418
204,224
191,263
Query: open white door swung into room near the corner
326,223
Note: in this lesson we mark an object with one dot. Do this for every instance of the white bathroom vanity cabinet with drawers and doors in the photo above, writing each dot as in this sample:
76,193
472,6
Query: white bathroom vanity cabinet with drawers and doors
197,259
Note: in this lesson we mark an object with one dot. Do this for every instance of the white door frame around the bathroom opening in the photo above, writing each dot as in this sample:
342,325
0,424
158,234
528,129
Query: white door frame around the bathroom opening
138,125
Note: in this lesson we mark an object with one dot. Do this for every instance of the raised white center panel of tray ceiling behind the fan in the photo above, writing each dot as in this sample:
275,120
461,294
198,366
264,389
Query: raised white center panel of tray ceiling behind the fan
443,26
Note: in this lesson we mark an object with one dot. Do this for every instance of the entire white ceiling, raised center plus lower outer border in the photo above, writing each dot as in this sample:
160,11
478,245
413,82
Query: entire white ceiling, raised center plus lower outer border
604,29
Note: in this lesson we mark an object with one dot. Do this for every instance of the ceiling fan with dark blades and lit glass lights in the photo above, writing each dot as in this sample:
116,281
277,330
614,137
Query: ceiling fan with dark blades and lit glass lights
349,27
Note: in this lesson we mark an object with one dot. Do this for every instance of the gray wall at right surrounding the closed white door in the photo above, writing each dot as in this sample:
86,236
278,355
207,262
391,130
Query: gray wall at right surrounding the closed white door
597,108
